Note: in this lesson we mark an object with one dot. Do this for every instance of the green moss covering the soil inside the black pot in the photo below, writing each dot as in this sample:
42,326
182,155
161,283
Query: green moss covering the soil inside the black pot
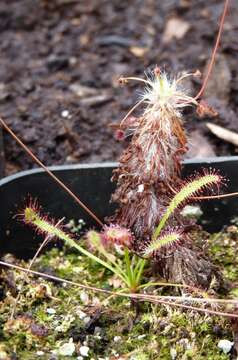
65,312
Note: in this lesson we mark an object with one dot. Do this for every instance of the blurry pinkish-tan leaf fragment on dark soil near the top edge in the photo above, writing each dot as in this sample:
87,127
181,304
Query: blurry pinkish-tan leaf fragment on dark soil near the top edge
175,28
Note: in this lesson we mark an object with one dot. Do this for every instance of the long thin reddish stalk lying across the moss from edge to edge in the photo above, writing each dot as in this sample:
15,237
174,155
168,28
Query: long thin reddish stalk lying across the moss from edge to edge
142,297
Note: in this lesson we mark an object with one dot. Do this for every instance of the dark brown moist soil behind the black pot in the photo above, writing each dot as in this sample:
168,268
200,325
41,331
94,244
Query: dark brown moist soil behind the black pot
61,59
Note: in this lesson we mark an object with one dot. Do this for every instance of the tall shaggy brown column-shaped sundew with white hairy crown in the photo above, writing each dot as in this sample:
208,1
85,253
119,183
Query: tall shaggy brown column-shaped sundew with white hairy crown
150,191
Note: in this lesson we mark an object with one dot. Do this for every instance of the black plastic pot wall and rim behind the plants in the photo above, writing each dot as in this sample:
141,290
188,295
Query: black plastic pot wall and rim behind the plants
92,184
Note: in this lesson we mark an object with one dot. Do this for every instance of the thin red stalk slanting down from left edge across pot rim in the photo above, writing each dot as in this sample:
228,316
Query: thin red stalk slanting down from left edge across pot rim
58,181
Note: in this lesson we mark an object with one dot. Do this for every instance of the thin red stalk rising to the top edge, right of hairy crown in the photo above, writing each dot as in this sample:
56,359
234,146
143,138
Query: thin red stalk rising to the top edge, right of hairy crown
210,66
